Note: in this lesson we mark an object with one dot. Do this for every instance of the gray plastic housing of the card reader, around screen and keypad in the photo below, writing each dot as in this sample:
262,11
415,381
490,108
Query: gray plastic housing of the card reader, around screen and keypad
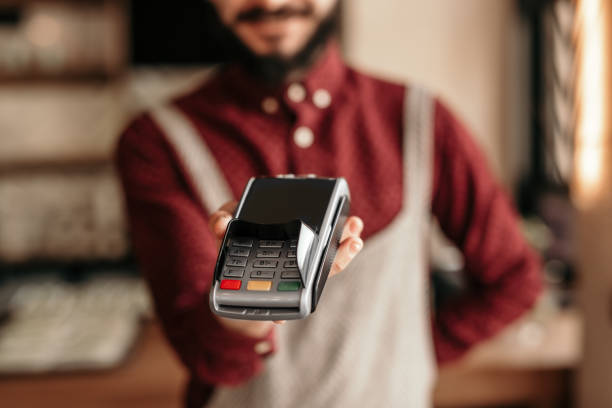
315,251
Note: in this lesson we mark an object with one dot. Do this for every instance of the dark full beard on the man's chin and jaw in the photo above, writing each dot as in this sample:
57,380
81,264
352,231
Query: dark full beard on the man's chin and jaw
274,69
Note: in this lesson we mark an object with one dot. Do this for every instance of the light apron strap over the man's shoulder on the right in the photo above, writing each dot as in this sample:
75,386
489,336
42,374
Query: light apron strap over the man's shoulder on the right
418,150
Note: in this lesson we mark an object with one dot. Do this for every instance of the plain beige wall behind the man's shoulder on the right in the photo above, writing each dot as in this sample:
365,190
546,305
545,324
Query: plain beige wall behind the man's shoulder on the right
466,50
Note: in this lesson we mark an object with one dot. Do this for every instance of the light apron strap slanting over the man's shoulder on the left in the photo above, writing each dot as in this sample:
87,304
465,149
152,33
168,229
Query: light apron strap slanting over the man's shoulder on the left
198,161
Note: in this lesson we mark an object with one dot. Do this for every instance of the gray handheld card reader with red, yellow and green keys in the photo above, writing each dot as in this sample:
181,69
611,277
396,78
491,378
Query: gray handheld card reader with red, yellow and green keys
279,247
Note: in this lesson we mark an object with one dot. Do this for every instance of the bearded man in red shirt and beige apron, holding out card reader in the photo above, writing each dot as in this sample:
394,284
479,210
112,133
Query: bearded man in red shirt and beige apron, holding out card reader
287,103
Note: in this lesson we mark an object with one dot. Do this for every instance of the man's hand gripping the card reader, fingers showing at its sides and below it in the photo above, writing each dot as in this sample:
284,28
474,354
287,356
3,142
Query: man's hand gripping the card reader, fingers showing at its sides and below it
350,245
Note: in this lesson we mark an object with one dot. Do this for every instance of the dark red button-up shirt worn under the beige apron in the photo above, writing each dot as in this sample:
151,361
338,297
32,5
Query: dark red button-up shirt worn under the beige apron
356,125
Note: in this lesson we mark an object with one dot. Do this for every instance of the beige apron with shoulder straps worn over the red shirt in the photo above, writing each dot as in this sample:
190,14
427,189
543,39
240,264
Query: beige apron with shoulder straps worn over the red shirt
369,342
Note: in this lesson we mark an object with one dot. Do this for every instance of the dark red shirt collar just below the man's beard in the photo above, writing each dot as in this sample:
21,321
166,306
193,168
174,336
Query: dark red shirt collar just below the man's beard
327,73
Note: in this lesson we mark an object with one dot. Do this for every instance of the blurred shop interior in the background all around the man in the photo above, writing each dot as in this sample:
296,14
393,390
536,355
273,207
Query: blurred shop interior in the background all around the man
529,77
